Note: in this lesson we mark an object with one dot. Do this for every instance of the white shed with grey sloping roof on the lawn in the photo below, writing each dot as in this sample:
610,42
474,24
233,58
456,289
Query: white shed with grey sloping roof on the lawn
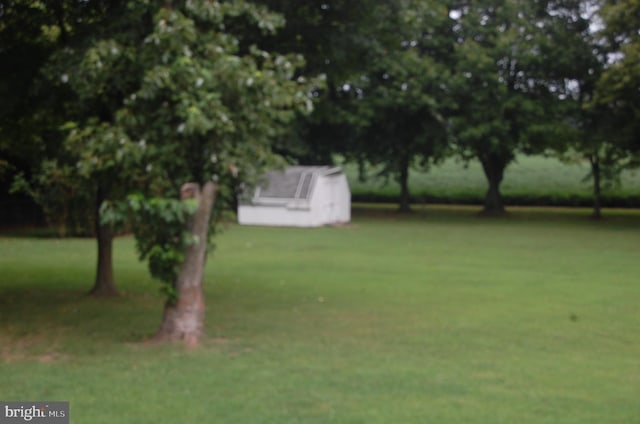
299,196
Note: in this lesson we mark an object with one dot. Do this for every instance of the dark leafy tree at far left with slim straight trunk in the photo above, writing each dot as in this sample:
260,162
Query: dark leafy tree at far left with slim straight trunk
67,104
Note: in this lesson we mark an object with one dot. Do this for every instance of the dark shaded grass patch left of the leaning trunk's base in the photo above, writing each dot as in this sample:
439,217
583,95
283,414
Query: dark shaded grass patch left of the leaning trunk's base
42,318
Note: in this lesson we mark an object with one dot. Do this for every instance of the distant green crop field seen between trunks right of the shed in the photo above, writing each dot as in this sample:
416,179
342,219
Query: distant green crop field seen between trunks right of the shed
531,180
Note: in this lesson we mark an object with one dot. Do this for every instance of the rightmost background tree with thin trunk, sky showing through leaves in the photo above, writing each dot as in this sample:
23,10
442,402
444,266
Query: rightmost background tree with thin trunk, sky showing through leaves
597,125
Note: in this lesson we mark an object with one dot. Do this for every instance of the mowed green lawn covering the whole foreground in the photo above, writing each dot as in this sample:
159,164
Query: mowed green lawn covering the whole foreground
438,317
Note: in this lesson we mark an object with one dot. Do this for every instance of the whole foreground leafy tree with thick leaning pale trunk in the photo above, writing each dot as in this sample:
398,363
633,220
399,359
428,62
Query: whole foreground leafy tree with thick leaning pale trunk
205,111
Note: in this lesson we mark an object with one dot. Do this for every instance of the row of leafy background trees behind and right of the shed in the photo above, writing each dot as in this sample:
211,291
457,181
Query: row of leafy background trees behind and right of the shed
484,80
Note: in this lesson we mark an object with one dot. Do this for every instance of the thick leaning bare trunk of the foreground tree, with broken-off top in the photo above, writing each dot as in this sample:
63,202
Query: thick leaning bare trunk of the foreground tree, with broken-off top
184,317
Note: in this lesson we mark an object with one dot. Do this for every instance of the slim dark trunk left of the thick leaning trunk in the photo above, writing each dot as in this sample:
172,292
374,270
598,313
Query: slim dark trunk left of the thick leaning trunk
104,284
